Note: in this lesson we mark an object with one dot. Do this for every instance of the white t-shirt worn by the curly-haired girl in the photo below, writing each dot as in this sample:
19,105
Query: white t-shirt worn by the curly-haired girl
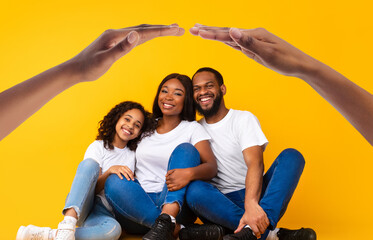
107,158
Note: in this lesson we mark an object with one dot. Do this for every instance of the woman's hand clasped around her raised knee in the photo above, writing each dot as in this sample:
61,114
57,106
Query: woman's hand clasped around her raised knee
178,178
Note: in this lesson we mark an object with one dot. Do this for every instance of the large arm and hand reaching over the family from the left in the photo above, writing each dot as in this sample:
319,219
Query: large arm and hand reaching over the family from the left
21,101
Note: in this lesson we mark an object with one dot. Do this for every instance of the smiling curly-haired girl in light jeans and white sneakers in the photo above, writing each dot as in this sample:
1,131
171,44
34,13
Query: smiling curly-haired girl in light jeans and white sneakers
111,153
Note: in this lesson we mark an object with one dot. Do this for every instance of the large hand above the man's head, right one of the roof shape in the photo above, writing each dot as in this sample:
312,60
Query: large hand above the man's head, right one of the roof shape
260,45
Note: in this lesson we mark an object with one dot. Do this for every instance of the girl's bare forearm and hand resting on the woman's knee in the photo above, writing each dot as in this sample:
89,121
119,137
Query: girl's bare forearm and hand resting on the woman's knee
116,169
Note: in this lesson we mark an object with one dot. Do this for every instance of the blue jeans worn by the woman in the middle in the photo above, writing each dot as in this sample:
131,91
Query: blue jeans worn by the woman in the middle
131,202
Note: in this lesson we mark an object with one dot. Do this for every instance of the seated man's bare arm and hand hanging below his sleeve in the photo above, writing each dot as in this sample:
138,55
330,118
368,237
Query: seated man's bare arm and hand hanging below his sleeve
254,215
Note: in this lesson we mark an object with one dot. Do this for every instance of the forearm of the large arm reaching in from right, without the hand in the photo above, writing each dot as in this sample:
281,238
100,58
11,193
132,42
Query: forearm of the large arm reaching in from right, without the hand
352,101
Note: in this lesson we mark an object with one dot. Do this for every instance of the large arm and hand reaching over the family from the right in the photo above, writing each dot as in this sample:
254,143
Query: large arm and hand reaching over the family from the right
352,101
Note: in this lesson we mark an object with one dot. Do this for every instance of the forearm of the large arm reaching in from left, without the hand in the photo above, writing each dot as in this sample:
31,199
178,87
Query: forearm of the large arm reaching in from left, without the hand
21,101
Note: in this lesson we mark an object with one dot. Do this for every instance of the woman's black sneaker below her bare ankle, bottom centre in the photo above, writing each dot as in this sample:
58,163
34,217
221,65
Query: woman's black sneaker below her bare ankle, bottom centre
162,229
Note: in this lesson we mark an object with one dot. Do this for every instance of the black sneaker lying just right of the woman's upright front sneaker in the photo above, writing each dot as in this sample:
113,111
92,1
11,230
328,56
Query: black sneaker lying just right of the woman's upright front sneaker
202,232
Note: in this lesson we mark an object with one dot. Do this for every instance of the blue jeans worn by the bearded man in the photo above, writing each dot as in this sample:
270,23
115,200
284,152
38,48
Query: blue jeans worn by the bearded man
279,183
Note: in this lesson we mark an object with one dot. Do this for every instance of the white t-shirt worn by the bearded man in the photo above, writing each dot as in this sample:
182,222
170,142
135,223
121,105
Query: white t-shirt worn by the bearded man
237,131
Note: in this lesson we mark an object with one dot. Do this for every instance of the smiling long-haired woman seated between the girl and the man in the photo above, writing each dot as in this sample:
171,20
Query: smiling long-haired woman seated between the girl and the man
166,162
